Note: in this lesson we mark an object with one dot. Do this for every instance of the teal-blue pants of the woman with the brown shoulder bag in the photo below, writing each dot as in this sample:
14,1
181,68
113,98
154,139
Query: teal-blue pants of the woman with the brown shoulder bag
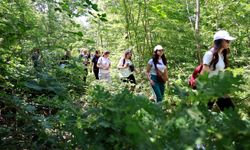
158,87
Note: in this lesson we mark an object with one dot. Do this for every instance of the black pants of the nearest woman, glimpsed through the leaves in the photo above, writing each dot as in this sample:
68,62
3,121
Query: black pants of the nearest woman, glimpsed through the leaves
223,102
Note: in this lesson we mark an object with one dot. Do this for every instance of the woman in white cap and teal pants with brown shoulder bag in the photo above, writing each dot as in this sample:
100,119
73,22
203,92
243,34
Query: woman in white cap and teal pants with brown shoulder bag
157,72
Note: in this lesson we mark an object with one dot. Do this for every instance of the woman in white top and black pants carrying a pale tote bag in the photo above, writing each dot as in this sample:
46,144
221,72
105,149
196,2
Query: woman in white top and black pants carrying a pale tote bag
126,68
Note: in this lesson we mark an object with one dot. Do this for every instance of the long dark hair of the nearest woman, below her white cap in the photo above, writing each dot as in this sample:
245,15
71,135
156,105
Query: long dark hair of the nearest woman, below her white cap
217,46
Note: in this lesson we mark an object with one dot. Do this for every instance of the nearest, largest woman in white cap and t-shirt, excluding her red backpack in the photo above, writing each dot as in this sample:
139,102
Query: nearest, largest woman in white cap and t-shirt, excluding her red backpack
216,60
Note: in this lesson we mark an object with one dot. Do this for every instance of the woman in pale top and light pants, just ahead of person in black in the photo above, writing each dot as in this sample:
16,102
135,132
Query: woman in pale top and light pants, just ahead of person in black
104,65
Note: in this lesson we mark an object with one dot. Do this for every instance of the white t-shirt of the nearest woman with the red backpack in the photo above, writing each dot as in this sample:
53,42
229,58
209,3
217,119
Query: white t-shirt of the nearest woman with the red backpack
220,66
